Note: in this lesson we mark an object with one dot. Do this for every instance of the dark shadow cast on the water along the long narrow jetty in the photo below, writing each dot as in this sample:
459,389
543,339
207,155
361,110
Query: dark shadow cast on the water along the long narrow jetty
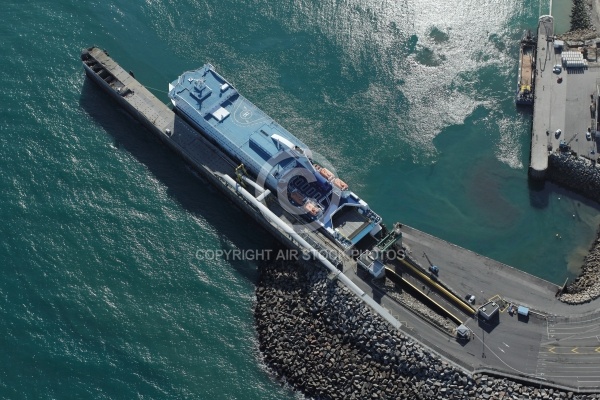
190,190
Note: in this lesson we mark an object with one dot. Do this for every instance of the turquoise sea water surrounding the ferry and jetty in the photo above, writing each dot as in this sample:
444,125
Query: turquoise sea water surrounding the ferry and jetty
102,295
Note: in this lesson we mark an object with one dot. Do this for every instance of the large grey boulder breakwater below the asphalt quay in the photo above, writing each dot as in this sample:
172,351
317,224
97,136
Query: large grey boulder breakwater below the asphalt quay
319,338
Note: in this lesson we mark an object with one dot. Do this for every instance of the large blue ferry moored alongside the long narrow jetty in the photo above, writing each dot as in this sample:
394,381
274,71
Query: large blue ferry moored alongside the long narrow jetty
273,158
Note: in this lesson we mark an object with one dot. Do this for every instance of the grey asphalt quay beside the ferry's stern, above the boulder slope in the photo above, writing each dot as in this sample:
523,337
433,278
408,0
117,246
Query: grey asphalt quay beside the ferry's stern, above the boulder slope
558,343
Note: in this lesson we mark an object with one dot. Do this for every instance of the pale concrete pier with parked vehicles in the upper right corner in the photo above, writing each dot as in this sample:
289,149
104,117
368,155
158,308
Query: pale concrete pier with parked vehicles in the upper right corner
564,108
